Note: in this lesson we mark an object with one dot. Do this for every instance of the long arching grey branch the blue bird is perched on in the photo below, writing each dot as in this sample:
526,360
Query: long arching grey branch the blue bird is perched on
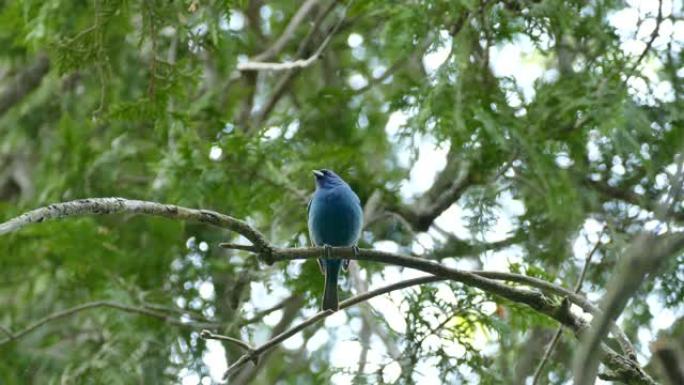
486,281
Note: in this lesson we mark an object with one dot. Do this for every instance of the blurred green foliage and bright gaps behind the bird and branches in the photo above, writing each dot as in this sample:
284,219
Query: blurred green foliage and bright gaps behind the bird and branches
501,135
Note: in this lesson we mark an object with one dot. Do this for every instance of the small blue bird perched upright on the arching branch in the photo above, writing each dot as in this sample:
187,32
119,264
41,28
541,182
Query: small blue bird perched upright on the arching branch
335,219
